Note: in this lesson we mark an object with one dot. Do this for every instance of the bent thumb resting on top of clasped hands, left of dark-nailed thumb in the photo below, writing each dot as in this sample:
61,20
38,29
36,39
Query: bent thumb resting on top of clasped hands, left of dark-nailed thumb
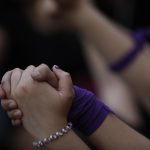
43,73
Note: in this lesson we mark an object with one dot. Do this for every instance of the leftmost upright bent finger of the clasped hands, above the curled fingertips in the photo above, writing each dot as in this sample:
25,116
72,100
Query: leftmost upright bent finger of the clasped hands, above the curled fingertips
6,83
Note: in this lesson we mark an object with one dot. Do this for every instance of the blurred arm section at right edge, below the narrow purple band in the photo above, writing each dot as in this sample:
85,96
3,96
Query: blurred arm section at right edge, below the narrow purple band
137,75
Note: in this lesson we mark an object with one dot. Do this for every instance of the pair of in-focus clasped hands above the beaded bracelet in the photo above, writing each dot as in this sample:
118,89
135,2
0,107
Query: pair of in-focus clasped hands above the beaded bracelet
45,105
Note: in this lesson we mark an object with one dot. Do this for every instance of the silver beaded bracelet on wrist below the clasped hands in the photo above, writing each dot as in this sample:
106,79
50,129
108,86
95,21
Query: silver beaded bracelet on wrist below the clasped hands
41,143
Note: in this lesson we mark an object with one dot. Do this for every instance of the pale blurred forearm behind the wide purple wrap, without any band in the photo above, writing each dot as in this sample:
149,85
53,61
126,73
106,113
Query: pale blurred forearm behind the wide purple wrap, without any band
113,91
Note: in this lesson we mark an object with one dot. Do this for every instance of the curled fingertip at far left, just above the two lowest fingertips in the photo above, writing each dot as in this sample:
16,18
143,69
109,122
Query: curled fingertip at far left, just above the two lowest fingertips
8,104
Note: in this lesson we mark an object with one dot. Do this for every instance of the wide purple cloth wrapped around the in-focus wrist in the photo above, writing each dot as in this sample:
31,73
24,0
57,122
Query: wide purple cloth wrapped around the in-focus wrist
87,112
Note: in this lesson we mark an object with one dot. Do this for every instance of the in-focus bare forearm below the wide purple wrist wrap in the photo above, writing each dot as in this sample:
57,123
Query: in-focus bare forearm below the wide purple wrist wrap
114,134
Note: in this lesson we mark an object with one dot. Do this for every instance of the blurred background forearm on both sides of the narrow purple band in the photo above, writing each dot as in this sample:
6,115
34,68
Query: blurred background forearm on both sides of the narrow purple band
113,43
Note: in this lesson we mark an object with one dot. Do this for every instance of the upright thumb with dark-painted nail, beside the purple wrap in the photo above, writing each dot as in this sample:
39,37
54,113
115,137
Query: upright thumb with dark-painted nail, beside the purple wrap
65,82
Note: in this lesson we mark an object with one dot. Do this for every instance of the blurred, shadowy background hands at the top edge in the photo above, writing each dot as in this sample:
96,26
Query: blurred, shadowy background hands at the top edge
53,14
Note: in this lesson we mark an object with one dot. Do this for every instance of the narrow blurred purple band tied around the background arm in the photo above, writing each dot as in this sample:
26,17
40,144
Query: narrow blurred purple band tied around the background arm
139,39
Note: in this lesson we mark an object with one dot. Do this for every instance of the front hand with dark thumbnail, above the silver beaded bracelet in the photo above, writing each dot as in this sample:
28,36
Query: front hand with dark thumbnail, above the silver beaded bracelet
38,99
